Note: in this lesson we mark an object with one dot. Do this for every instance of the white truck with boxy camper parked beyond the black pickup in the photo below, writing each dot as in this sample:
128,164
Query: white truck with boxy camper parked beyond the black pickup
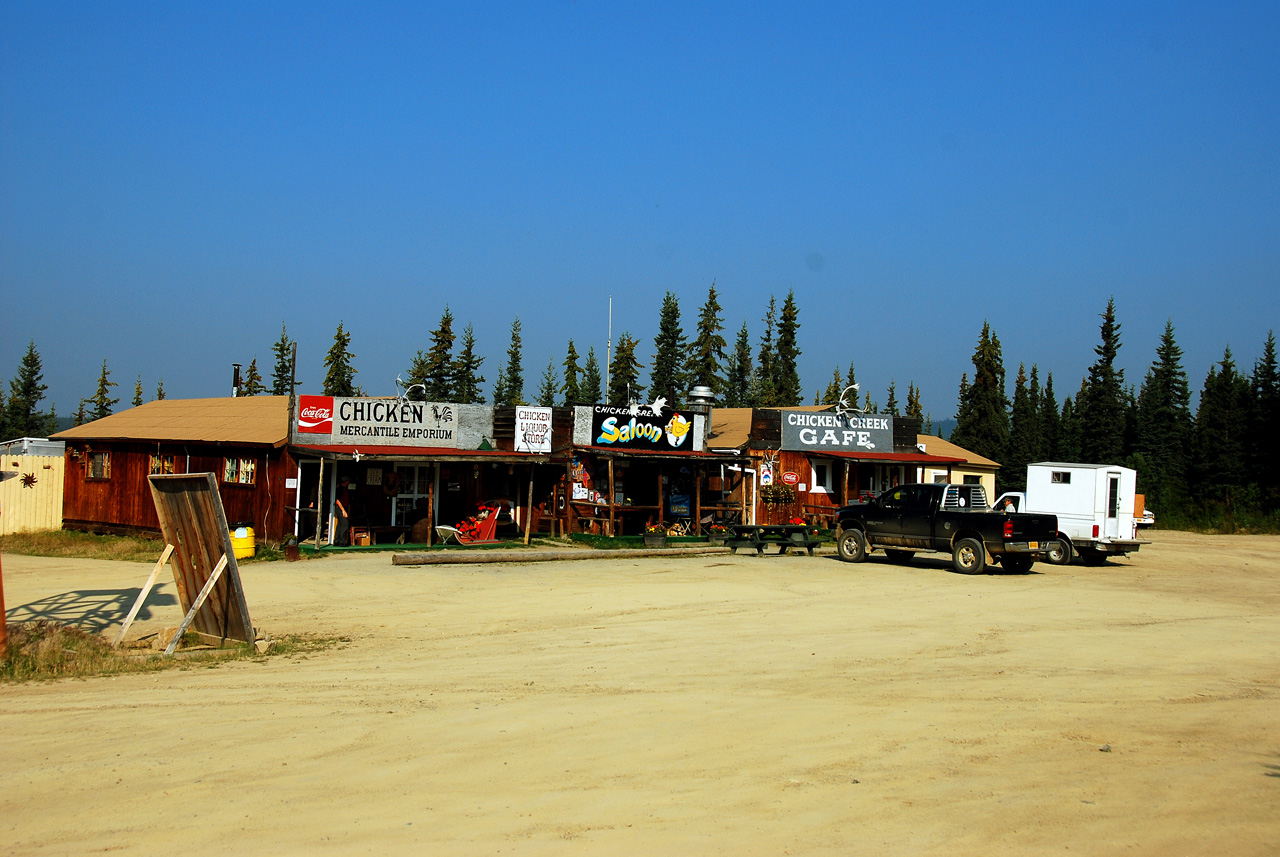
1094,503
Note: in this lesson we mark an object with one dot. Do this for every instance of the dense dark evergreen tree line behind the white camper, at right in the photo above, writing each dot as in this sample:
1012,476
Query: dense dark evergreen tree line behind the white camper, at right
1214,469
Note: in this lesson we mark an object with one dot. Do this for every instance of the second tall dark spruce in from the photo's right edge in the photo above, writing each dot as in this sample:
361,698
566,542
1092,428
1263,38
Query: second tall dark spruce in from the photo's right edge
1222,423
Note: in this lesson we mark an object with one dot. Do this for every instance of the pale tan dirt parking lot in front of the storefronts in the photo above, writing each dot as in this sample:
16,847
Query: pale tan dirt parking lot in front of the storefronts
733,705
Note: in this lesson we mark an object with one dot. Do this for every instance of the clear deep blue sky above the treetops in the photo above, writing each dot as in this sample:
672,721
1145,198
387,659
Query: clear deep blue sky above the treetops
177,180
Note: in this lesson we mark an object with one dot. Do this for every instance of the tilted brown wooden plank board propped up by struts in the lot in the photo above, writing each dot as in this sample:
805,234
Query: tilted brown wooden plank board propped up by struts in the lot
193,521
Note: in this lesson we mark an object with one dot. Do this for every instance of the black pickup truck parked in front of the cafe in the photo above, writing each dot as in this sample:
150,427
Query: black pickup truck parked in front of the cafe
952,519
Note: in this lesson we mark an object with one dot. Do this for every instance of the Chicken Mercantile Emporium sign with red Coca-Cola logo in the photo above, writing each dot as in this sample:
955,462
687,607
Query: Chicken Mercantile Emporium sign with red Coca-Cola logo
387,423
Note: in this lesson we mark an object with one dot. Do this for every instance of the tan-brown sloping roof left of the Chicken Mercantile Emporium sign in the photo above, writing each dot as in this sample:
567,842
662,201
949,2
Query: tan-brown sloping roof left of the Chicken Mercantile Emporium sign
262,420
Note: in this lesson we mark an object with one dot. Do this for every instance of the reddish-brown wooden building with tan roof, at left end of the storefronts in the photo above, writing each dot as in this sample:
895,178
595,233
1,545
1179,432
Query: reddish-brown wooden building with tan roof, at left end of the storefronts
245,442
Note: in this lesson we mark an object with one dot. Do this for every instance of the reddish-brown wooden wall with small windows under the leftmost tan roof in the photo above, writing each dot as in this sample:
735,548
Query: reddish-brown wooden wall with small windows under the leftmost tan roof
121,501
